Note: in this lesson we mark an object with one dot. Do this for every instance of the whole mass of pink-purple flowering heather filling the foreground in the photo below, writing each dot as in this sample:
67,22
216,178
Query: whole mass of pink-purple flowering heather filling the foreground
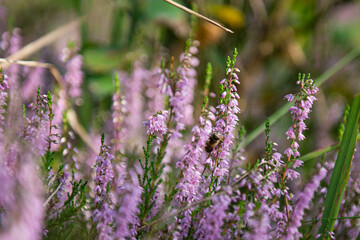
191,180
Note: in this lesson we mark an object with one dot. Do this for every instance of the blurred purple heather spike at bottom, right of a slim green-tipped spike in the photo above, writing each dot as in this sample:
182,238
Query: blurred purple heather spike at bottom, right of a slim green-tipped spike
126,220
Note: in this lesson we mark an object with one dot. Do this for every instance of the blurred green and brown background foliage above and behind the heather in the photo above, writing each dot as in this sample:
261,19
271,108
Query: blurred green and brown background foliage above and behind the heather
276,39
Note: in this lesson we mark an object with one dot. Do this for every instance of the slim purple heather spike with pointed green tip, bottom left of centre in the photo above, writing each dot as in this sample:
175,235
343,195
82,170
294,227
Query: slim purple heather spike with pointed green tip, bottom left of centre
103,213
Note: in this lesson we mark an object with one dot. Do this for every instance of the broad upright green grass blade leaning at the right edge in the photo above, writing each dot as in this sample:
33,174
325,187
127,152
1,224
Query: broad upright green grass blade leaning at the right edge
341,172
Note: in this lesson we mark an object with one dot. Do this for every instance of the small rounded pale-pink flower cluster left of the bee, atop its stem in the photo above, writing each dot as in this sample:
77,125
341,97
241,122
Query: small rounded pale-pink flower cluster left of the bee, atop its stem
156,125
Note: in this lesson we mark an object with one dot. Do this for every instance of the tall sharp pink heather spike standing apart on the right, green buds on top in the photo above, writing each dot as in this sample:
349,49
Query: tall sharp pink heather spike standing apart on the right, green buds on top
300,112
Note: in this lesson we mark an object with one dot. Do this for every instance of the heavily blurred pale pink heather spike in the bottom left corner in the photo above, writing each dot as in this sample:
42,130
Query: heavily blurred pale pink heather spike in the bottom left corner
24,215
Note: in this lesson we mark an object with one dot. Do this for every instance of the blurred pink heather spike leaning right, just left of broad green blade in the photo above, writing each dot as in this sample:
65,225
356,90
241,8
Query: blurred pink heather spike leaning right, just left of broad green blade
302,202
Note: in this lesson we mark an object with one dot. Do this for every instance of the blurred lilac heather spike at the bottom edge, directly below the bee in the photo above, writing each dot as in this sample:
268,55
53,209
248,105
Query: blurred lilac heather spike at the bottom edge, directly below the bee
210,226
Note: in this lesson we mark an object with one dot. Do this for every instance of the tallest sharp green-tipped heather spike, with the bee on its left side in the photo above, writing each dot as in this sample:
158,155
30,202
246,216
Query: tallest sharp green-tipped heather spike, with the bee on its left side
227,118
